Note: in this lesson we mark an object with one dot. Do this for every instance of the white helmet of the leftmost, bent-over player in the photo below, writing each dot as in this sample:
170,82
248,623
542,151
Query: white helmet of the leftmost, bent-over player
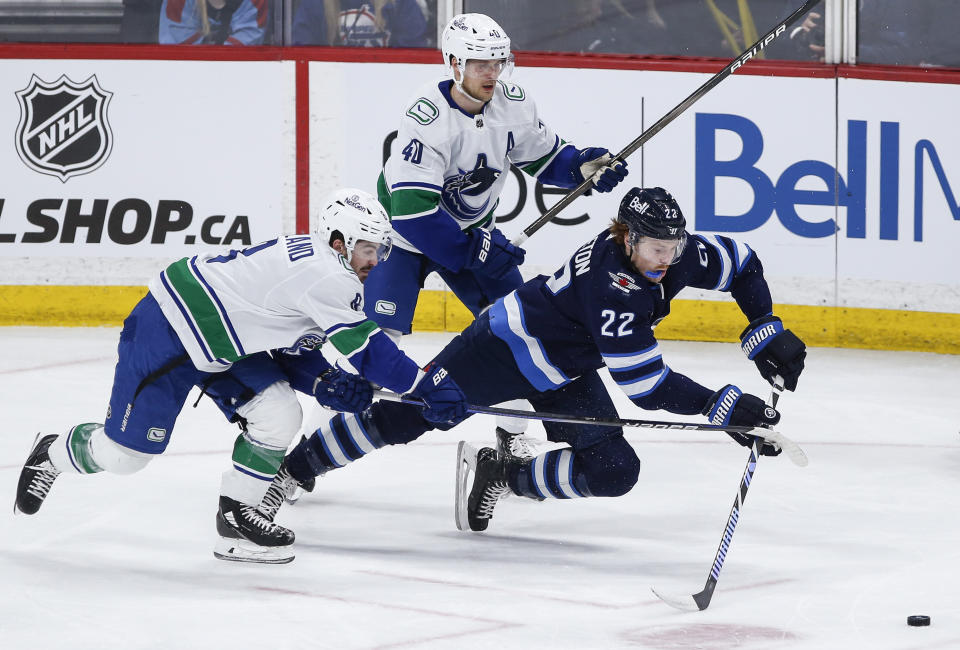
356,215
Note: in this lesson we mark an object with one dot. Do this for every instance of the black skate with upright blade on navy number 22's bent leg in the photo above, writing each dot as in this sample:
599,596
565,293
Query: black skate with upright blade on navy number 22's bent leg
475,503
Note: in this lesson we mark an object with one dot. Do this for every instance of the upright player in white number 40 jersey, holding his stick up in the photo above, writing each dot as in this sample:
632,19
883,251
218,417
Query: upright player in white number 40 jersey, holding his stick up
446,170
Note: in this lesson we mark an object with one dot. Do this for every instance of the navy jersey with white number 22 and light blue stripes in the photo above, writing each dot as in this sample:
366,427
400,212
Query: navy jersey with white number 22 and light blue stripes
597,310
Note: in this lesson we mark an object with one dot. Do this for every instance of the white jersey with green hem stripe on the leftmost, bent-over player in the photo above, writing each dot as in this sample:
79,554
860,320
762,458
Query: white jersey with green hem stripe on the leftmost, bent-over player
288,293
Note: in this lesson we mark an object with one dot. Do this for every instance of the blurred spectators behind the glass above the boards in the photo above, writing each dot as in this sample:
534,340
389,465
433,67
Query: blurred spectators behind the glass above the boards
893,32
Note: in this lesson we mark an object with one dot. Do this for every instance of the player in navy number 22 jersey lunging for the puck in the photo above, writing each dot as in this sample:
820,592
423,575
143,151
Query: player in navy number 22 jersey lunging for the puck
546,341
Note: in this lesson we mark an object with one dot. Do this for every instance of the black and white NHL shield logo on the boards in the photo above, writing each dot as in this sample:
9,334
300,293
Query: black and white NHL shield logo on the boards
63,128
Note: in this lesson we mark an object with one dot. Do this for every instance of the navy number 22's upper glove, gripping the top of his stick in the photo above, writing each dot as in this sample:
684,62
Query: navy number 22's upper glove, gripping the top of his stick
776,351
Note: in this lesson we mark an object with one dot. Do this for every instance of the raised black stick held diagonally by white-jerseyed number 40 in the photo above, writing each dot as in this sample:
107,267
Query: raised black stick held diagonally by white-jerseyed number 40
708,85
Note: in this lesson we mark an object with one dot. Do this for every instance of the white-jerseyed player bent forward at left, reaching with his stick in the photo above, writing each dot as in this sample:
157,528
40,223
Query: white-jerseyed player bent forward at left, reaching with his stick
209,321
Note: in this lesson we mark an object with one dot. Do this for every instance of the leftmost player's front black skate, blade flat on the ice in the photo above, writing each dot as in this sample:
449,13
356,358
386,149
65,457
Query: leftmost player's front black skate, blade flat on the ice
246,535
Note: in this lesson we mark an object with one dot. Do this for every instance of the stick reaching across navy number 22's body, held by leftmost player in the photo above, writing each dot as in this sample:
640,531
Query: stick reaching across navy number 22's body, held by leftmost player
789,447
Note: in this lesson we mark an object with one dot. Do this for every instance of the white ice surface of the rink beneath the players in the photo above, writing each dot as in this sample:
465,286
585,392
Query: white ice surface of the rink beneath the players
835,555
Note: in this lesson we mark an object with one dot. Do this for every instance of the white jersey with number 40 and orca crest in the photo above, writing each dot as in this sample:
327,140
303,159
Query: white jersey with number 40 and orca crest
444,156
